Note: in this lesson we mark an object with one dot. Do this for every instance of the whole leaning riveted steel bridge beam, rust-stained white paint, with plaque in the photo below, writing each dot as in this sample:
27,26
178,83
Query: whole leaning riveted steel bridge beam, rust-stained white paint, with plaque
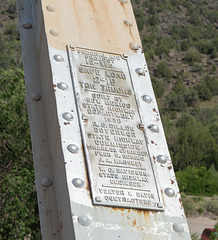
84,57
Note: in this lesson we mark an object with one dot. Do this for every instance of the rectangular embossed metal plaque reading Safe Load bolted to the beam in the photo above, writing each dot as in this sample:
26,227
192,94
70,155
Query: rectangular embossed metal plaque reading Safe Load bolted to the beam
120,170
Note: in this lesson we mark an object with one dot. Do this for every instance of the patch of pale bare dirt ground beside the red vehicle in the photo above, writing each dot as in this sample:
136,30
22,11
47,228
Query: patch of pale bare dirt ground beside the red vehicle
197,225
